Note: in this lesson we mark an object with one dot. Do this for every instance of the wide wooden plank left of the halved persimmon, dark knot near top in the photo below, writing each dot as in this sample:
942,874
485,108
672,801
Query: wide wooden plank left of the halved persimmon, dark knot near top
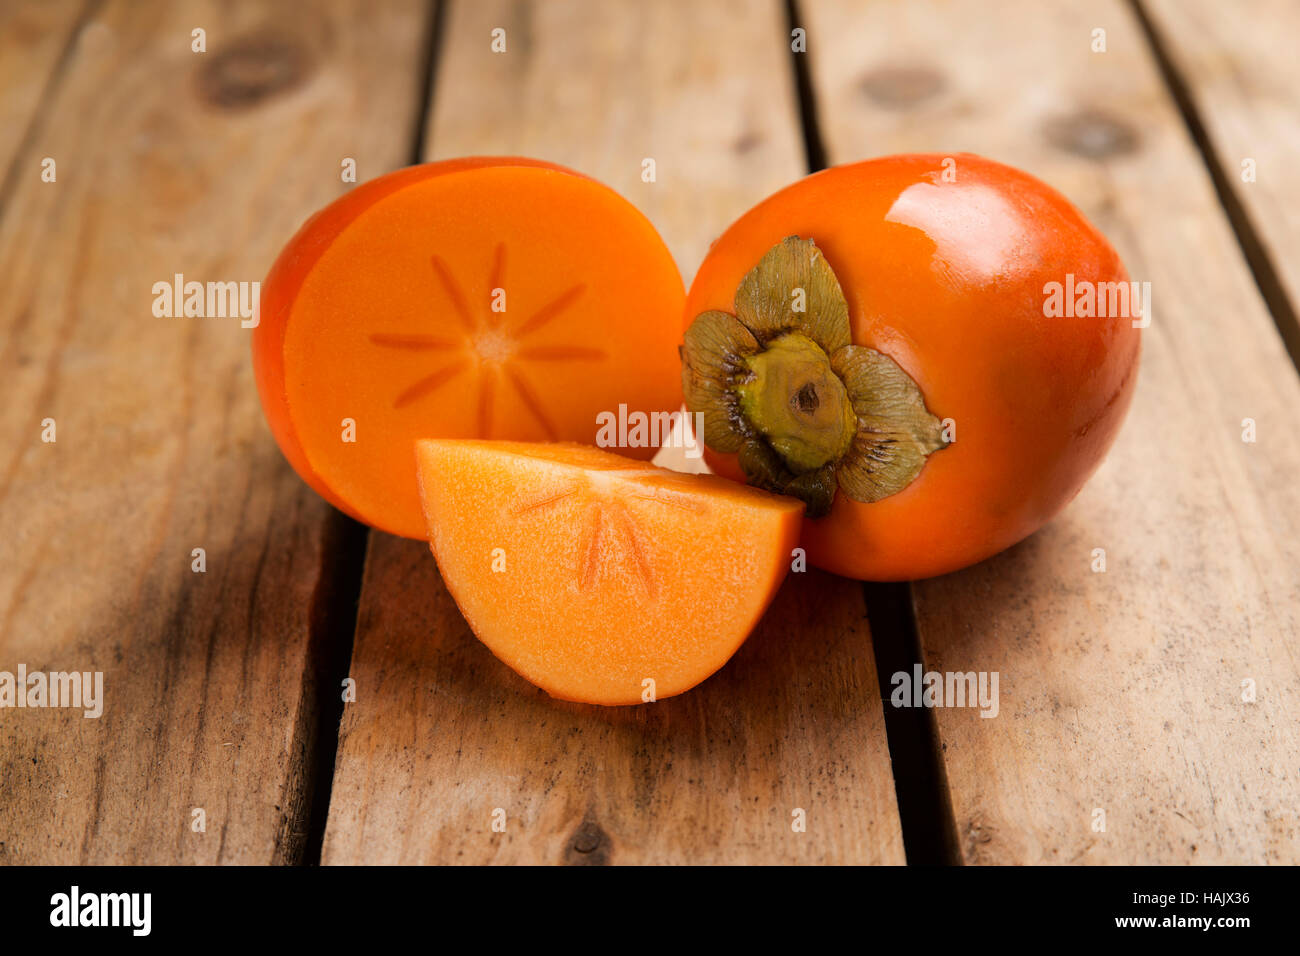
171,162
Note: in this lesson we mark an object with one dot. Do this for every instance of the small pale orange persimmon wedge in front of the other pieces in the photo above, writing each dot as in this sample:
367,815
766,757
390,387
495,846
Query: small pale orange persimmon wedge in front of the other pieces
600,578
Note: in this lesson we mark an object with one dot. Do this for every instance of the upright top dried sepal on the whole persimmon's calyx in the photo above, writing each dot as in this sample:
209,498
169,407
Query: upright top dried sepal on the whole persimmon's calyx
794,275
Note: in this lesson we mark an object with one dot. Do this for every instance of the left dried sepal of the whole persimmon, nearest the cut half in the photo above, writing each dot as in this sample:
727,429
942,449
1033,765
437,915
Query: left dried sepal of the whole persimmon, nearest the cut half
712,362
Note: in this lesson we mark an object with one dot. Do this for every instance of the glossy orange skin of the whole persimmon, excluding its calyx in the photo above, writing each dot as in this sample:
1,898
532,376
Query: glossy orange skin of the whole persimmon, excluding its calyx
950,279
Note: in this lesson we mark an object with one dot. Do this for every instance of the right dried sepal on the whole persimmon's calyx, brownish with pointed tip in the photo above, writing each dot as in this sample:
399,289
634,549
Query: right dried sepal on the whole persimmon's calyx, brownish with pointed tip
896,432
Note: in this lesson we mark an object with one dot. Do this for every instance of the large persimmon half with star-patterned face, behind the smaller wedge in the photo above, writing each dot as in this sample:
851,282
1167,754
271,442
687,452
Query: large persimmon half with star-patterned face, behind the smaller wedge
474,299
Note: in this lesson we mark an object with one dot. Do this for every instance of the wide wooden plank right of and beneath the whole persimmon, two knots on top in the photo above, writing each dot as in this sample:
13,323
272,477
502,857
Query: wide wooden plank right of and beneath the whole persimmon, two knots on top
1120,691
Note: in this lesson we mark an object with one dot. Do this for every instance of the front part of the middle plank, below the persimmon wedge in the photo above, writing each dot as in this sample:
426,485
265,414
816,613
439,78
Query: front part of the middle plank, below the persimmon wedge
443,736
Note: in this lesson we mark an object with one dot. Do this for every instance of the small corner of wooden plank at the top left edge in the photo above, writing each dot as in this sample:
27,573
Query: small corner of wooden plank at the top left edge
34,37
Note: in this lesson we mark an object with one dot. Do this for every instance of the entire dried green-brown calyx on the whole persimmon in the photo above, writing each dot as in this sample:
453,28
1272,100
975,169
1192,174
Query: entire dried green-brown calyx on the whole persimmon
782,386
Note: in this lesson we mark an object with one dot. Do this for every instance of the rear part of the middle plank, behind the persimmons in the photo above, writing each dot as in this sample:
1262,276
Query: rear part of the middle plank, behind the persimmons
705,90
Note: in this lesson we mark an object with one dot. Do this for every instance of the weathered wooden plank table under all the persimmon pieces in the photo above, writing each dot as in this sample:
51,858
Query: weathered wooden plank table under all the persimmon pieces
1159,698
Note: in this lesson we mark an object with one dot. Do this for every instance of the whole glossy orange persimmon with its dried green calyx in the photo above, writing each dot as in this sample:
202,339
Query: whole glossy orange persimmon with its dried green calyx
933,352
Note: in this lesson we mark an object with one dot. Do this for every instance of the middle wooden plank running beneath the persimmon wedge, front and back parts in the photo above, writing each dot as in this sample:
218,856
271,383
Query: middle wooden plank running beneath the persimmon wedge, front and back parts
443,734
